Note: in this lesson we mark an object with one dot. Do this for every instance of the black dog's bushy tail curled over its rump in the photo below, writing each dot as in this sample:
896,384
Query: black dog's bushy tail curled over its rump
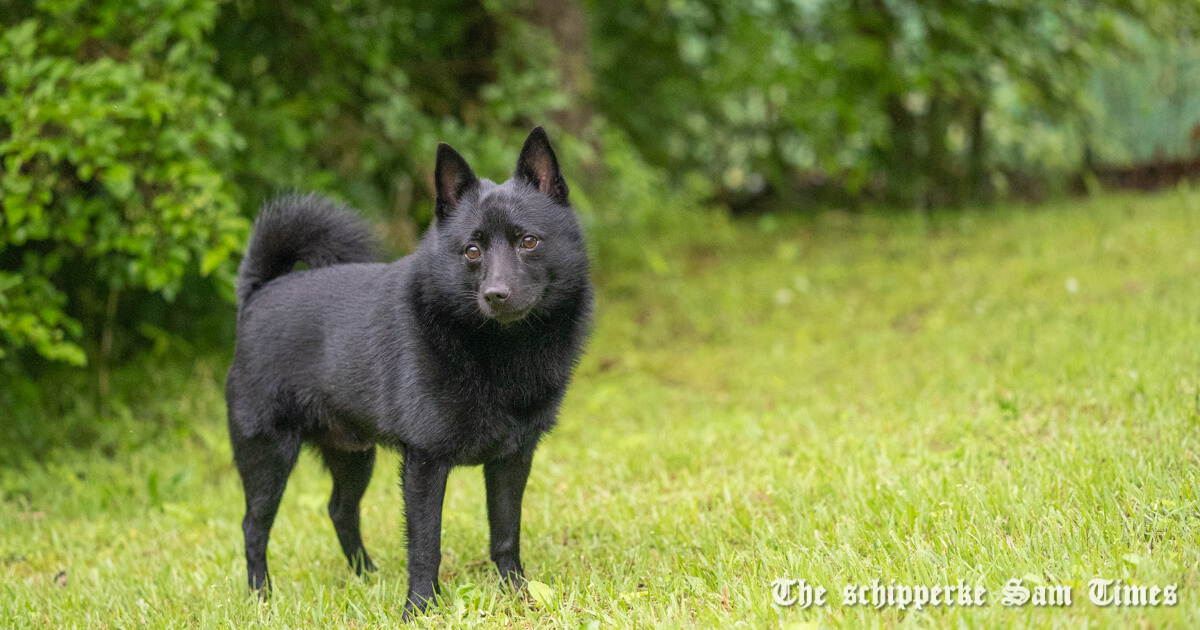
302,229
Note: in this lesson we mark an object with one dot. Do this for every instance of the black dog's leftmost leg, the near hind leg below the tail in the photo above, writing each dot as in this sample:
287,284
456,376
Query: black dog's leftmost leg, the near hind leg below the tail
265,461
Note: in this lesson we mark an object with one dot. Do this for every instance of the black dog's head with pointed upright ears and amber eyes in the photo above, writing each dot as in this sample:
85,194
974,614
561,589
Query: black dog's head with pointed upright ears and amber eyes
508,251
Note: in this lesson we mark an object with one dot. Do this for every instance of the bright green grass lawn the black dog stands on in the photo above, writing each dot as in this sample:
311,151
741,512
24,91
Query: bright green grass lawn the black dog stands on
980,397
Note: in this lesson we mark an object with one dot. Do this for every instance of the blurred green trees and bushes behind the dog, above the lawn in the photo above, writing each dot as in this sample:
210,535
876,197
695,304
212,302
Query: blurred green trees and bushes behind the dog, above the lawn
140,137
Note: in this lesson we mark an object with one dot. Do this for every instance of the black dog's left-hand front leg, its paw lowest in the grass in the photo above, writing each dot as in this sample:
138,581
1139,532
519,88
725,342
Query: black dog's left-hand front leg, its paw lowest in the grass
424,482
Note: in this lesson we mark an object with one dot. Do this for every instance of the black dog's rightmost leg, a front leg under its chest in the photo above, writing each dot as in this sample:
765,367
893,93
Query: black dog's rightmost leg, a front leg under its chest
506,481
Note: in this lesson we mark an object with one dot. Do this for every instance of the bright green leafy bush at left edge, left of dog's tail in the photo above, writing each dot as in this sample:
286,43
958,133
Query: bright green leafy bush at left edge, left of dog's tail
112,141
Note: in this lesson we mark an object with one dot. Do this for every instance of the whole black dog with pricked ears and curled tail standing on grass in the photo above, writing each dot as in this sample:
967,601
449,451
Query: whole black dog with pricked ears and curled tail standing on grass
457,356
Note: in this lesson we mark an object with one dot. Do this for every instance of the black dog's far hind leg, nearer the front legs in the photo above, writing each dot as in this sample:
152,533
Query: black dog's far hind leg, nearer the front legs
352,473
